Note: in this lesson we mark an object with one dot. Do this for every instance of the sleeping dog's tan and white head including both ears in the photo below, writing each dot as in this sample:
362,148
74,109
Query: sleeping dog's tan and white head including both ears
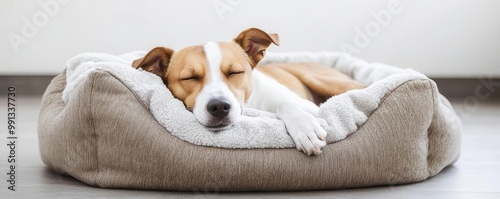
213,80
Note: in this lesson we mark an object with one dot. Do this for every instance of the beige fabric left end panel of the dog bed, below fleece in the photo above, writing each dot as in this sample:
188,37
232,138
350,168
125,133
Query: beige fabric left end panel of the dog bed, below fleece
65,144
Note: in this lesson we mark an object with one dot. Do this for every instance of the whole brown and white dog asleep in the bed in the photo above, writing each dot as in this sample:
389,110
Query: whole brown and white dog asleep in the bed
218,79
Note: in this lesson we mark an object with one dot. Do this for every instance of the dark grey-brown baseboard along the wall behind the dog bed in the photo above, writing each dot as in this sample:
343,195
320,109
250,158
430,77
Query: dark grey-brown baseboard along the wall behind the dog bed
449,87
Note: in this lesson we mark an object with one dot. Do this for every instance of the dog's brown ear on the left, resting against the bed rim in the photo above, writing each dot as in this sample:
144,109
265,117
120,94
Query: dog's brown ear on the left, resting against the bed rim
156,61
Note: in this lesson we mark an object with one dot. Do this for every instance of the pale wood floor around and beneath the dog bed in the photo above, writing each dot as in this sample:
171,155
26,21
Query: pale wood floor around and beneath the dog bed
475,175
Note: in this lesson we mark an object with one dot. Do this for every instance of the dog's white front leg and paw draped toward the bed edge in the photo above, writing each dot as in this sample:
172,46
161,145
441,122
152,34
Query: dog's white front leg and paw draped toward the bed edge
297,113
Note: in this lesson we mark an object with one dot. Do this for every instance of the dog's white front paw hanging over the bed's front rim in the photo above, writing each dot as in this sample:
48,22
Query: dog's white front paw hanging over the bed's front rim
305,131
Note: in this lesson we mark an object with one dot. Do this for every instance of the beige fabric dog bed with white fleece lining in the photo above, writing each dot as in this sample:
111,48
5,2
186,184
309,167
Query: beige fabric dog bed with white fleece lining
112,126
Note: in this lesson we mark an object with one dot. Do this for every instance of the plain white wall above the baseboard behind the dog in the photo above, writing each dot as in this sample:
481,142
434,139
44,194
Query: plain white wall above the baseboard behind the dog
444,38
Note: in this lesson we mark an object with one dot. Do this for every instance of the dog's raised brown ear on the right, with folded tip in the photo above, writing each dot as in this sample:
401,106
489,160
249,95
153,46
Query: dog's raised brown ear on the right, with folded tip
255,42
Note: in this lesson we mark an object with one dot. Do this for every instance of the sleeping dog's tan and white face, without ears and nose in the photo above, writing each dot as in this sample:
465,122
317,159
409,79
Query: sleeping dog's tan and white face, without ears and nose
199,74
